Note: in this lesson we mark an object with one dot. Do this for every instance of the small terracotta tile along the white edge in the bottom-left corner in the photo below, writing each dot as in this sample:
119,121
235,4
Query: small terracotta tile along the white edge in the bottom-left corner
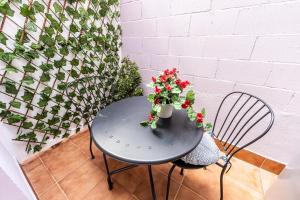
40,179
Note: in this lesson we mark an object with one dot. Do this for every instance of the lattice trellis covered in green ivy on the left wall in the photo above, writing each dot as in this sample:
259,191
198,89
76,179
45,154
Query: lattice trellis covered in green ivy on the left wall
44,45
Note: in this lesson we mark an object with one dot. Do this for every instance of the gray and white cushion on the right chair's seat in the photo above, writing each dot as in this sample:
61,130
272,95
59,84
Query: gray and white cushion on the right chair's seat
206,153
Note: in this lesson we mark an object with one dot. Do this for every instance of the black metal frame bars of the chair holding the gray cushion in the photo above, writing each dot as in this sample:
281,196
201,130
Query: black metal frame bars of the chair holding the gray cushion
229,148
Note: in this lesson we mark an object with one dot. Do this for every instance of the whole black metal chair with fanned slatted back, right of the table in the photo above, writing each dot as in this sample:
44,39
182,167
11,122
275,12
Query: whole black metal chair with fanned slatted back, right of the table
242,113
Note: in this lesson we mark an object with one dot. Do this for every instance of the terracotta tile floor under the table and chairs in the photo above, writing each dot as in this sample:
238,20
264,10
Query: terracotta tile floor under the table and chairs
66,172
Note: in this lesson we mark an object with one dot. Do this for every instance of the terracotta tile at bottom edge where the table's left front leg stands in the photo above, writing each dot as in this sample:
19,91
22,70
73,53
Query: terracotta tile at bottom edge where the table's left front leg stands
100,191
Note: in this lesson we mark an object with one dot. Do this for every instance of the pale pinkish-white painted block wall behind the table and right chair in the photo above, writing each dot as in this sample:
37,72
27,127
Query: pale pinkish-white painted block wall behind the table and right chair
221,46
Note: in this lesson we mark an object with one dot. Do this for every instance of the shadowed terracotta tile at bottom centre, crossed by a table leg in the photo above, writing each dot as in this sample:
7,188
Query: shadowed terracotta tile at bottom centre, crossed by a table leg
143,190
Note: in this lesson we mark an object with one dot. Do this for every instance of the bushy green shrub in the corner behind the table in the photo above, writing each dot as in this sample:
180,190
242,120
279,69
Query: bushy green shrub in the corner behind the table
129,81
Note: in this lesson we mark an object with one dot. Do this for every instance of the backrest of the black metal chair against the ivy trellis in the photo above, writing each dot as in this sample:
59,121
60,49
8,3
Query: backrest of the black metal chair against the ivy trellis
88,95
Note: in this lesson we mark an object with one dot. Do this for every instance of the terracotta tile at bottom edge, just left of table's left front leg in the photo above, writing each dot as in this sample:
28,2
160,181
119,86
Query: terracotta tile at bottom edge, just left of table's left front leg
80,181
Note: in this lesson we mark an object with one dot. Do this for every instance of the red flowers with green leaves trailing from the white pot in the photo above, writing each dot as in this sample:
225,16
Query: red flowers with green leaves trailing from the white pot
169,89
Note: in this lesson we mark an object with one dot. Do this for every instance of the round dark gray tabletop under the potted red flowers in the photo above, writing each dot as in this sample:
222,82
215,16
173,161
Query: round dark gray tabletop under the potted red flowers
117,132
